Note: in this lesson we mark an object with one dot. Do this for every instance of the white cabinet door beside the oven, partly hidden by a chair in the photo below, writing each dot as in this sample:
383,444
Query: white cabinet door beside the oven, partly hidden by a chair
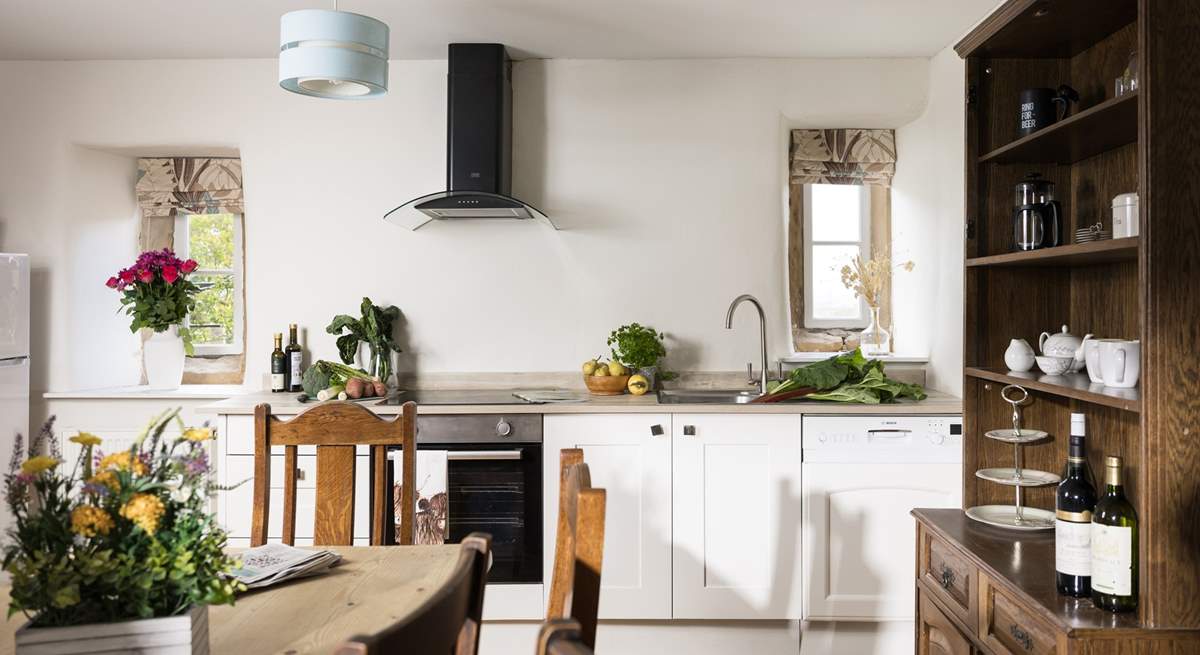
629,456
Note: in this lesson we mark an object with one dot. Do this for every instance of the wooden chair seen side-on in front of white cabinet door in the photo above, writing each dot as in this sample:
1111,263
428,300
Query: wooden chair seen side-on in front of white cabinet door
579,548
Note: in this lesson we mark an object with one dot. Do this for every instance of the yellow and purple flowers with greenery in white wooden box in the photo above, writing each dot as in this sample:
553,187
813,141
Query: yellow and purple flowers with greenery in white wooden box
125,536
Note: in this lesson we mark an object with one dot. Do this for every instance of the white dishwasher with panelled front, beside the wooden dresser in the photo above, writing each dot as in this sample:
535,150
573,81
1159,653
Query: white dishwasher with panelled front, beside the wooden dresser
861,478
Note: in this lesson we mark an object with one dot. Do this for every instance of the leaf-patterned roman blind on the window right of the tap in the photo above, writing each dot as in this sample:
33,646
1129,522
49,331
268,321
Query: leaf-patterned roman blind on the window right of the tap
844,157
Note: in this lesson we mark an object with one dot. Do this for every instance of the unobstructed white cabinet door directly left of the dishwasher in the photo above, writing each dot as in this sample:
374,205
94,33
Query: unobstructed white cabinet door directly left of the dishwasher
737,516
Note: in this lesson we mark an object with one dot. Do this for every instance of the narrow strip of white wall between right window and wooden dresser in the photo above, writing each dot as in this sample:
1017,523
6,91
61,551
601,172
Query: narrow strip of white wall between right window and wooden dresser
927,211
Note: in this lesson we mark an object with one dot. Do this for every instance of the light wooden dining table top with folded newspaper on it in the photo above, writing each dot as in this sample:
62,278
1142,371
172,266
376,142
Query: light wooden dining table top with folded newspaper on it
373,588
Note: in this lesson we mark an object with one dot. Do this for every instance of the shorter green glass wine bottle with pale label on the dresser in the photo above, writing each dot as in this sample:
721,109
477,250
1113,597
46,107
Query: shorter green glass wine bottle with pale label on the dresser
1114,545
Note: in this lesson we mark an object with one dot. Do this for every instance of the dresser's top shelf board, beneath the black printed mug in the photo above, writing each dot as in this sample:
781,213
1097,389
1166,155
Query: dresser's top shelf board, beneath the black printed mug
1100,129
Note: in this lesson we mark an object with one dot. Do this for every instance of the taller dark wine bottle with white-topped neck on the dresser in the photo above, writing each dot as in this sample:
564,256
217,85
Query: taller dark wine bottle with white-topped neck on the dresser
1073,519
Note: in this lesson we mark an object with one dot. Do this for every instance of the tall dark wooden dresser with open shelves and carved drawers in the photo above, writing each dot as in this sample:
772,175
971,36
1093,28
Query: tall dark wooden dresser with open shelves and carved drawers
985,590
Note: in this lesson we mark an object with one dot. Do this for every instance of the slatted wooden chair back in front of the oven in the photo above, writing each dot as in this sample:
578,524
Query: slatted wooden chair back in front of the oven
335,429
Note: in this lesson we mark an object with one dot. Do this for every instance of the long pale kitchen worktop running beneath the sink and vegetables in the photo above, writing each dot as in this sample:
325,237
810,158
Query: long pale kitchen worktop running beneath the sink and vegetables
287,404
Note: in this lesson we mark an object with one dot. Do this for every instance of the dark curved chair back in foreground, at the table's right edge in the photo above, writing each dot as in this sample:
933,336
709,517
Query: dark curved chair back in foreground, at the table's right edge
448,622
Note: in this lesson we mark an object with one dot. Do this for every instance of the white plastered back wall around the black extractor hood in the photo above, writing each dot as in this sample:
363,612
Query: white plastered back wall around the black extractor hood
667,177
